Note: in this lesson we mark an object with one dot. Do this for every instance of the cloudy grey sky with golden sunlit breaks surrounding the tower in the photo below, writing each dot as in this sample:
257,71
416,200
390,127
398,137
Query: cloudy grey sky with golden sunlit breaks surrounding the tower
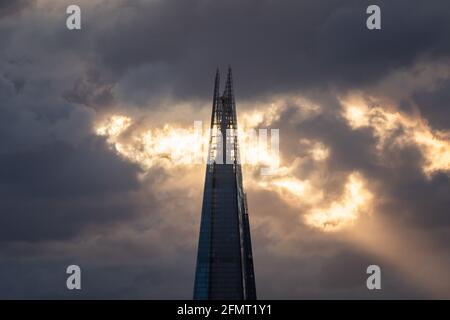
97,135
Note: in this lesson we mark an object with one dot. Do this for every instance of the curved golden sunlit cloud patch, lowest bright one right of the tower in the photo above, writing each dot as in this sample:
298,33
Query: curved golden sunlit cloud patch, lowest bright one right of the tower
344,212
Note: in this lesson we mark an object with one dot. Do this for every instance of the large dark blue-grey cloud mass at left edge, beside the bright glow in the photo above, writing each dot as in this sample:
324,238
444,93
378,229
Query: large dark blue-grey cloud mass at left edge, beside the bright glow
53,172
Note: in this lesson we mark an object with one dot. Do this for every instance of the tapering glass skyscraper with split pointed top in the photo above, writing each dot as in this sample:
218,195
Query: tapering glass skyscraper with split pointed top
224,261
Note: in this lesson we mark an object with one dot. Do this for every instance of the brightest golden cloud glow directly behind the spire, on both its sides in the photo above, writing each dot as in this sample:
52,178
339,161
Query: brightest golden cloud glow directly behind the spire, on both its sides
178,146
